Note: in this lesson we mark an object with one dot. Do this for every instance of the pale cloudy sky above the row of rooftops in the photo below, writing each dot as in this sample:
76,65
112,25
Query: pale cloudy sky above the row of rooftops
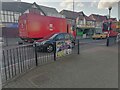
87,6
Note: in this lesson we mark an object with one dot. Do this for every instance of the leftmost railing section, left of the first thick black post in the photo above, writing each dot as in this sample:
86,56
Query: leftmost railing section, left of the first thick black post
17,60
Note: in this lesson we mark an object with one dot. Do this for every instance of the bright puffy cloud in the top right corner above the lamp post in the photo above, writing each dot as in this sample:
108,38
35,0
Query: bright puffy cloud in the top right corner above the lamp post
103,4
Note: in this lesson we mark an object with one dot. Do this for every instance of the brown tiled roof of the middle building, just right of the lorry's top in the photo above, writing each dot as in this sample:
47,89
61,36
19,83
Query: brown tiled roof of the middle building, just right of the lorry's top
70,14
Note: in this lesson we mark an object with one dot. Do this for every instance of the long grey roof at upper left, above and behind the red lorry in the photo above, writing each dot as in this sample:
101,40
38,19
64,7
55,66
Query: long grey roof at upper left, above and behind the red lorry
23,6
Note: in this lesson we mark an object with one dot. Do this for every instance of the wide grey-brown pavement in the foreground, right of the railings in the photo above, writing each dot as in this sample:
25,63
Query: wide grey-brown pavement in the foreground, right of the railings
95,67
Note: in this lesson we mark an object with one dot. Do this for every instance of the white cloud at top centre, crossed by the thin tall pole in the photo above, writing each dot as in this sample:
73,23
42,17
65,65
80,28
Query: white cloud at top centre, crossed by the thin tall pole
68,4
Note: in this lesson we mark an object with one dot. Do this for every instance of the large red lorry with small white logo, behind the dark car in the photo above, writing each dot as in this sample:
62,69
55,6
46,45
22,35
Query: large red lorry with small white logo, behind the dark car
35,26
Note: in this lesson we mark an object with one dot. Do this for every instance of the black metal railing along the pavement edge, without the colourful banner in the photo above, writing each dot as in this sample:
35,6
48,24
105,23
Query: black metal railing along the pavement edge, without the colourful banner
22,58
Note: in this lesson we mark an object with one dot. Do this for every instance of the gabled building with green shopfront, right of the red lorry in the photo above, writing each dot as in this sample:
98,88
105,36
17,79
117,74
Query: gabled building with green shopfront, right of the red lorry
82,23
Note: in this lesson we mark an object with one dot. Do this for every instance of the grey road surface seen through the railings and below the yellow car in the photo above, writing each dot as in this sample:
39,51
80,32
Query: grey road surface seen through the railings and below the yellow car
18,53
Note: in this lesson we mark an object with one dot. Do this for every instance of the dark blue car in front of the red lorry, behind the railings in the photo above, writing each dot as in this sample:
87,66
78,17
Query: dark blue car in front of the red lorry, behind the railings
47,43
